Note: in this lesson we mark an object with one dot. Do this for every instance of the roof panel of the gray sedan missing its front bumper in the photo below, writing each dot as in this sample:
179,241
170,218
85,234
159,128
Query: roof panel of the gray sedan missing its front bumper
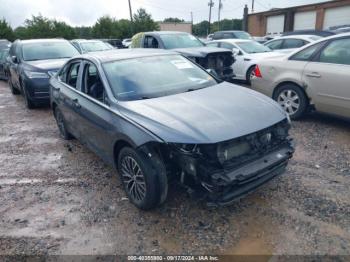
121,54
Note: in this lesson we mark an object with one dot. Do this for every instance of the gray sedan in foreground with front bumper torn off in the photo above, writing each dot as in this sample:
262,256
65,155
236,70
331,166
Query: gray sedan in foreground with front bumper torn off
158,117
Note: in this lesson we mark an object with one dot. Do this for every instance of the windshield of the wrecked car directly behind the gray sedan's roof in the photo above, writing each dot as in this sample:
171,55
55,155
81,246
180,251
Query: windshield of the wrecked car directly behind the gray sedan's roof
171,41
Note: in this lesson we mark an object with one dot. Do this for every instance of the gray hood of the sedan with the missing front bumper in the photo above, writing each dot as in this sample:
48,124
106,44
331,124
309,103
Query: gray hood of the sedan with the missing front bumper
210,115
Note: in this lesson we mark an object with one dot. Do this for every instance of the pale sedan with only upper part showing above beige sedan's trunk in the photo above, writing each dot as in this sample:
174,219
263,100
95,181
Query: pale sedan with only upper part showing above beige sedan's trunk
288,44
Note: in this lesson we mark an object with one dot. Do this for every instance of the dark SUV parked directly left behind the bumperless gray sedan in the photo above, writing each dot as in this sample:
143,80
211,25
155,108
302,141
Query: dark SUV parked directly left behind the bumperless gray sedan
32,64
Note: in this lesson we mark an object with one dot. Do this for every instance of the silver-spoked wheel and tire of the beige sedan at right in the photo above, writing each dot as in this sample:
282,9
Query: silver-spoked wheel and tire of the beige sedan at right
292,99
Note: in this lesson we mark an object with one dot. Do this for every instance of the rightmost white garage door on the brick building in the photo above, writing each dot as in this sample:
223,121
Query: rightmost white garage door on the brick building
337,16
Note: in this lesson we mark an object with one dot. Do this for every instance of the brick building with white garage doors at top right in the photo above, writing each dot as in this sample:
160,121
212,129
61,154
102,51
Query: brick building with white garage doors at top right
318,16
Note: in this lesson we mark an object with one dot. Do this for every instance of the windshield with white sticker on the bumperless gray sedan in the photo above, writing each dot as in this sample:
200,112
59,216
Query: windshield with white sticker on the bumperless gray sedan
150,77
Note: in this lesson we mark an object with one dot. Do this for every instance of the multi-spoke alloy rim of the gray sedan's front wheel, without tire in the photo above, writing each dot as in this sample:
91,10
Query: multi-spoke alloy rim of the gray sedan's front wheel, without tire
133,178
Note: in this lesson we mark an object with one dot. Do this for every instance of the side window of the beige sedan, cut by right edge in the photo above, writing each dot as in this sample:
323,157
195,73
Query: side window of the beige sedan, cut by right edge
337,52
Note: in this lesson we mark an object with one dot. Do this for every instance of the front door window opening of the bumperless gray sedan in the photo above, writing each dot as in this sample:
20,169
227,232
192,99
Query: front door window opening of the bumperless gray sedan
92,84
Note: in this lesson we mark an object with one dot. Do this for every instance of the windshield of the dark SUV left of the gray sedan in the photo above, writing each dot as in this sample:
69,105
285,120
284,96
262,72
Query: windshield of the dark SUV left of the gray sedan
48,50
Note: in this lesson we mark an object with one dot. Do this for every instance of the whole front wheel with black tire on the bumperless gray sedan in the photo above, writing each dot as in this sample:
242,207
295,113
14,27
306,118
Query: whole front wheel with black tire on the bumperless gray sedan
145,182
